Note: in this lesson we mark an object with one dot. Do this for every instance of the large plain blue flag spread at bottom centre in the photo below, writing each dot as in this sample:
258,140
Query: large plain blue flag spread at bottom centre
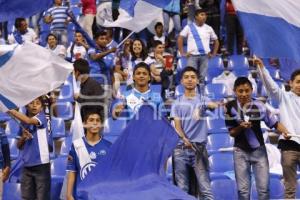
134,167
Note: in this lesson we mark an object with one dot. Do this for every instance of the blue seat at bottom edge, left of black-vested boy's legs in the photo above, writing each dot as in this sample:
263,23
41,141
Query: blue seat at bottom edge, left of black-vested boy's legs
224,189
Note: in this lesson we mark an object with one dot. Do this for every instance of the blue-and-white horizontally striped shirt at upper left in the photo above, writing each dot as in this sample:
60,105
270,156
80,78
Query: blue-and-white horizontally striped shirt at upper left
59,15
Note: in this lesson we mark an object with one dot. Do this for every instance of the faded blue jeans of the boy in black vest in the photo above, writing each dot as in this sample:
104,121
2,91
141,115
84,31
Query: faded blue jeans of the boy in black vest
258,160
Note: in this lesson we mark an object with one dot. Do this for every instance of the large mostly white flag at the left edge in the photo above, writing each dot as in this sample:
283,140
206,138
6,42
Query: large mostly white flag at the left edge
28,71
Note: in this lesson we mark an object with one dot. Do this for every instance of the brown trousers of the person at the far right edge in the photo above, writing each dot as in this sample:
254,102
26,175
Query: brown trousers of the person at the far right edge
289,161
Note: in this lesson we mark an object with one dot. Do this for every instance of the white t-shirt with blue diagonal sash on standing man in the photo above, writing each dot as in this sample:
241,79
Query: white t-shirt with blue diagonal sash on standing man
206,34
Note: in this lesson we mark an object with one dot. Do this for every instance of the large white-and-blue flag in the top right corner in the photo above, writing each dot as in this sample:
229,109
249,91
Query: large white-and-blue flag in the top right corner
272,28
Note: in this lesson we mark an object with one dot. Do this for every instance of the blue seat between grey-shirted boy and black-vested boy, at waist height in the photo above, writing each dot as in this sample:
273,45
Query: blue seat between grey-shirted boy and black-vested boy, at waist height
217,141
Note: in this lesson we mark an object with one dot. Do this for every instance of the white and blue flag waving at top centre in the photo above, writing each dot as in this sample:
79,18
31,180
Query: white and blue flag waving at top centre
136,15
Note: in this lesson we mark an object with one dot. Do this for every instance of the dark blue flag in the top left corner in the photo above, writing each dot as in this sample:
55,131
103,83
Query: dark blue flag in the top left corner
11,9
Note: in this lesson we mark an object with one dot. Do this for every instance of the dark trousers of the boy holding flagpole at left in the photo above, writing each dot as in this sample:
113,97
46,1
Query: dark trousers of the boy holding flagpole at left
36,182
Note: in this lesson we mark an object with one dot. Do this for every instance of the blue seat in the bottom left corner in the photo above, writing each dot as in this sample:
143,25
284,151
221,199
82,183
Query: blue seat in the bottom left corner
11,191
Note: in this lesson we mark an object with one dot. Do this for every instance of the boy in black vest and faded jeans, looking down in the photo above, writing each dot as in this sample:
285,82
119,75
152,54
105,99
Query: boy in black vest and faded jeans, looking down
243,118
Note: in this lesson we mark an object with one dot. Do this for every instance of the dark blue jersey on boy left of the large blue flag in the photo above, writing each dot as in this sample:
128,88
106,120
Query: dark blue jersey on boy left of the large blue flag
82,165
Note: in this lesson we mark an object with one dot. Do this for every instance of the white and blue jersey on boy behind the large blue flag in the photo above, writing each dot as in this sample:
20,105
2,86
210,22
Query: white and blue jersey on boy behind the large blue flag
135,99
